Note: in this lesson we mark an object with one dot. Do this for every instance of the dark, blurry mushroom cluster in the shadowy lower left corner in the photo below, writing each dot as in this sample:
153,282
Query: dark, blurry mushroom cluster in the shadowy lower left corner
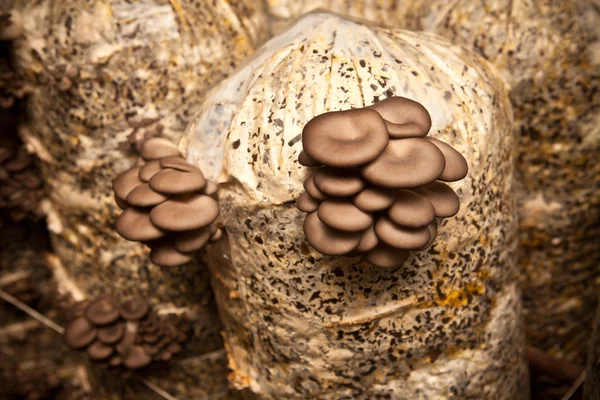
129,335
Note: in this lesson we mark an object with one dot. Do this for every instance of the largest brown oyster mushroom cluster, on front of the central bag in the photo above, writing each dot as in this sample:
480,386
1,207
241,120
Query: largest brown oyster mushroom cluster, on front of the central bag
375,190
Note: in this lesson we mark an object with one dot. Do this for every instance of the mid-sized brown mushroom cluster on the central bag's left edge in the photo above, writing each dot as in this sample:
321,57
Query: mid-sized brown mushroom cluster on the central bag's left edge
167,203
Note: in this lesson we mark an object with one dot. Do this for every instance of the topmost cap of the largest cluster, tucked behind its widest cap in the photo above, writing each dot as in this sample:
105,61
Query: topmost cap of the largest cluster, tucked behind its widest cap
406,118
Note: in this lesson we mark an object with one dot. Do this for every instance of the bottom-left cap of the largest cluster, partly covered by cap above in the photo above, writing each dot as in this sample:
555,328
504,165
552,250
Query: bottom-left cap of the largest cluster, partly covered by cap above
327,240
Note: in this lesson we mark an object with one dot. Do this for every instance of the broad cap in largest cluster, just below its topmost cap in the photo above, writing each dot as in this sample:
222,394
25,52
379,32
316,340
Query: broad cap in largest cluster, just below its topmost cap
406,163
